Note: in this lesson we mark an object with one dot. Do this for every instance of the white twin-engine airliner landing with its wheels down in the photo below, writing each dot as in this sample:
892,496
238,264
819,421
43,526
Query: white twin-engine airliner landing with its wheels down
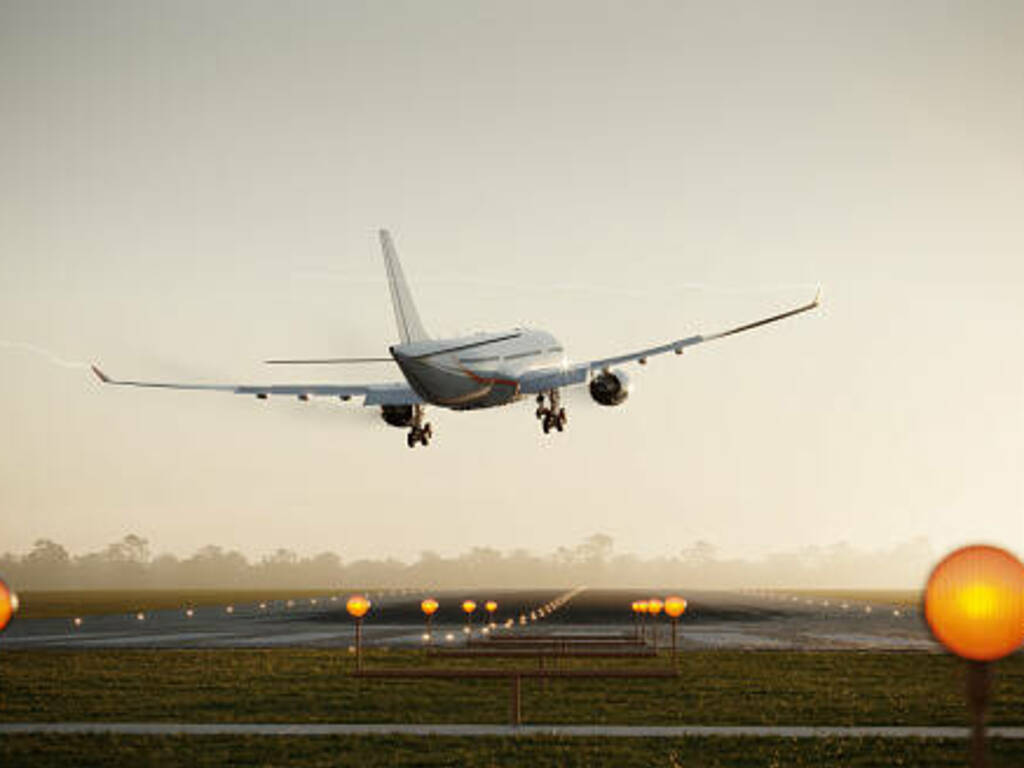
485,370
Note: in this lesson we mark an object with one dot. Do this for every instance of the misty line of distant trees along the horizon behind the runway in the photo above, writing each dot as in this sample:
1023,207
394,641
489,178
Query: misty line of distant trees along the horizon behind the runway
131,565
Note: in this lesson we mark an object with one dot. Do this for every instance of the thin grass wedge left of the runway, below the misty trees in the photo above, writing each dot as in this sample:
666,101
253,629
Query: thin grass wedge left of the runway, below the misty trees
68,604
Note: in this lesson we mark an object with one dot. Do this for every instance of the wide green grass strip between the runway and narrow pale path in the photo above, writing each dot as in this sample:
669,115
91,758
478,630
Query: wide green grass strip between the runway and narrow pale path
313,686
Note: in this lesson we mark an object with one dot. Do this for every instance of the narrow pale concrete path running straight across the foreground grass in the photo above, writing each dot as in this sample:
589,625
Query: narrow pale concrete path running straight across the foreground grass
591,732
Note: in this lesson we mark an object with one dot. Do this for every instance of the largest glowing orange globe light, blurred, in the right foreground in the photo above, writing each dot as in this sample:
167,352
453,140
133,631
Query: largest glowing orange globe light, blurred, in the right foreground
974,603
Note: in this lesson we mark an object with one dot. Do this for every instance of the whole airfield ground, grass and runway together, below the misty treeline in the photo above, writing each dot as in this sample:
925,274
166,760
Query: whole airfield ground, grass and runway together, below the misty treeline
777,660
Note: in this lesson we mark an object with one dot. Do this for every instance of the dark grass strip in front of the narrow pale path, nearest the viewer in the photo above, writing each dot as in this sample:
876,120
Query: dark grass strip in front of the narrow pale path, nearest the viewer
41,751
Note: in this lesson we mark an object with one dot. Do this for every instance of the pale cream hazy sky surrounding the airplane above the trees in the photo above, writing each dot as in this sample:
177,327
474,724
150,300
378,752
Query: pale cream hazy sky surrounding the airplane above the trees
190,188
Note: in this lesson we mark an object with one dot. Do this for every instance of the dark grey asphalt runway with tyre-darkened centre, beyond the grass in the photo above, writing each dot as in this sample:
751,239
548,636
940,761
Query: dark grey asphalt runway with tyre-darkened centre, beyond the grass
713,621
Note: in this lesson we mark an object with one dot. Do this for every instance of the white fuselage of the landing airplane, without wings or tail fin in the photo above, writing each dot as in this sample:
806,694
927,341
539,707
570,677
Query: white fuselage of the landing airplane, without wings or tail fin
480,371
